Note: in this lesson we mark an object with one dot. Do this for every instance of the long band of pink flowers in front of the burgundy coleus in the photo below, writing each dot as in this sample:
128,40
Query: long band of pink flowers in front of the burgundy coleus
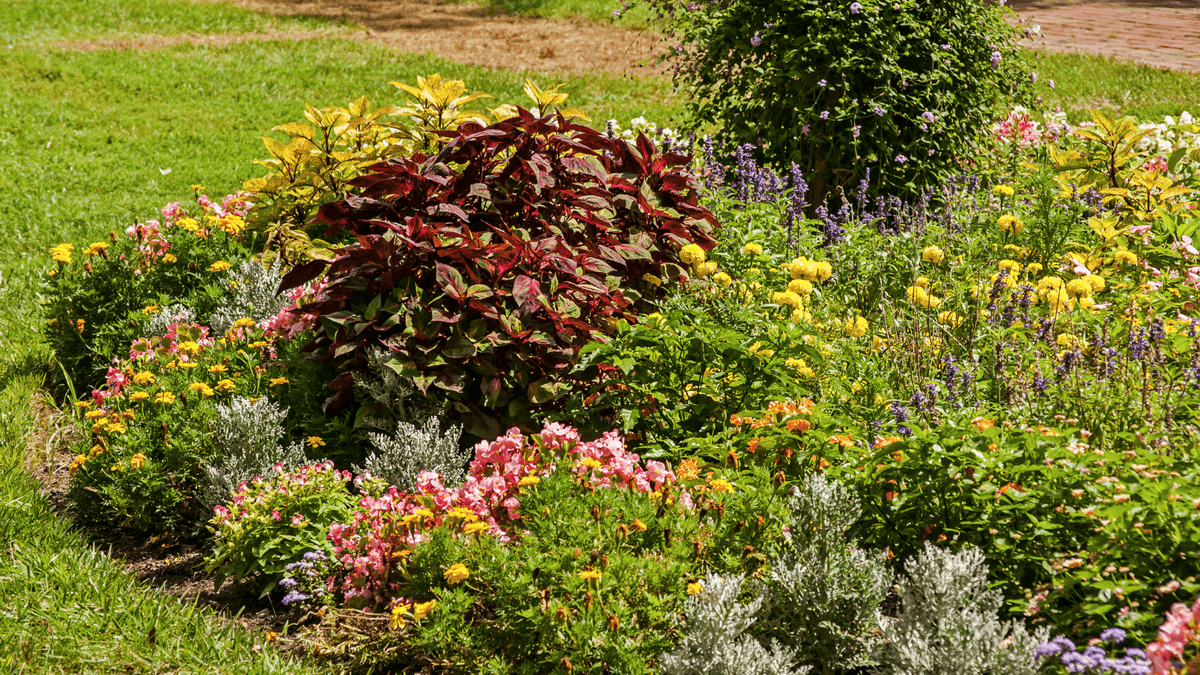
385,527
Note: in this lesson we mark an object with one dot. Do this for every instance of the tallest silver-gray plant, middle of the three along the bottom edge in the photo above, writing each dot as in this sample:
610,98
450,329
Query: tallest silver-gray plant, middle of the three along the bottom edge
824,589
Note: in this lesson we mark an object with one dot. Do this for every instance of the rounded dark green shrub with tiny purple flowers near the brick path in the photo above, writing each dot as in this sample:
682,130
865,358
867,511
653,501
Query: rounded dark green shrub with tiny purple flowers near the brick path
897,88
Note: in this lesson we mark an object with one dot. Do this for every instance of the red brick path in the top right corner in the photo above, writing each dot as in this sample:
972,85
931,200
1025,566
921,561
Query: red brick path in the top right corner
1157,33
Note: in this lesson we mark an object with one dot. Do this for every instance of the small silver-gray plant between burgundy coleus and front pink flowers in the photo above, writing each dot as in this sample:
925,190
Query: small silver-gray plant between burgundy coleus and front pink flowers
400,457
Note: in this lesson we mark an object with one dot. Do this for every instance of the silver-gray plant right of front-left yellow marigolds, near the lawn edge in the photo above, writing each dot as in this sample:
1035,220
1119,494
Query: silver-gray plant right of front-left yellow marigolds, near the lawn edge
248,437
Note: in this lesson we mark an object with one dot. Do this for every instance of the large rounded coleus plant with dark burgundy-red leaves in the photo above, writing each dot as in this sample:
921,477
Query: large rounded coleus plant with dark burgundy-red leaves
485,268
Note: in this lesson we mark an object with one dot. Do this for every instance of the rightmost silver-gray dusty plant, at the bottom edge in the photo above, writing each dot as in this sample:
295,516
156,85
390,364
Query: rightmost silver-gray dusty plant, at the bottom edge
950,623
